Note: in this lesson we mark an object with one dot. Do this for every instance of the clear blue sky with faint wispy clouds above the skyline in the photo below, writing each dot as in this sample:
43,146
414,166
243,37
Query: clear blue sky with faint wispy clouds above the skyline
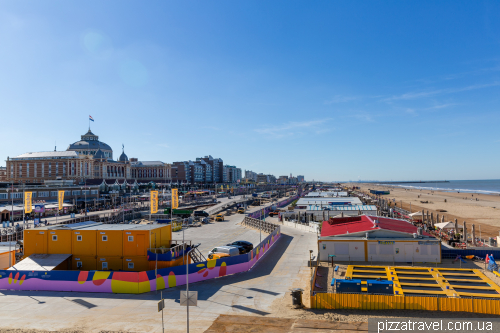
333,90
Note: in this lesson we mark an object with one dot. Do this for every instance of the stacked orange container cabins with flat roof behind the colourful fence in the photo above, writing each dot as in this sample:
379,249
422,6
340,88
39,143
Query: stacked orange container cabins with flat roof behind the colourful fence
97,246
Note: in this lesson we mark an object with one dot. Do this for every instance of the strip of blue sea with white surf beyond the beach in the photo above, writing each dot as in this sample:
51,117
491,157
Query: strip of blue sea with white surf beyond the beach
486,186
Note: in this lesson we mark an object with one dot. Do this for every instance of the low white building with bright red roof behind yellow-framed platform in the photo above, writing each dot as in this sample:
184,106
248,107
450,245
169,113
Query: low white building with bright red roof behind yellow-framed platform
374,238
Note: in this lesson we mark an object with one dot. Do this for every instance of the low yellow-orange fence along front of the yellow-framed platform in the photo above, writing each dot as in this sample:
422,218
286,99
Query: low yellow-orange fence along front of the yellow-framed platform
392,302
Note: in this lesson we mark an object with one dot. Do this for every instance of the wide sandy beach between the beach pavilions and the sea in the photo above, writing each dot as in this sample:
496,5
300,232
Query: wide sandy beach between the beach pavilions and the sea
484,213
